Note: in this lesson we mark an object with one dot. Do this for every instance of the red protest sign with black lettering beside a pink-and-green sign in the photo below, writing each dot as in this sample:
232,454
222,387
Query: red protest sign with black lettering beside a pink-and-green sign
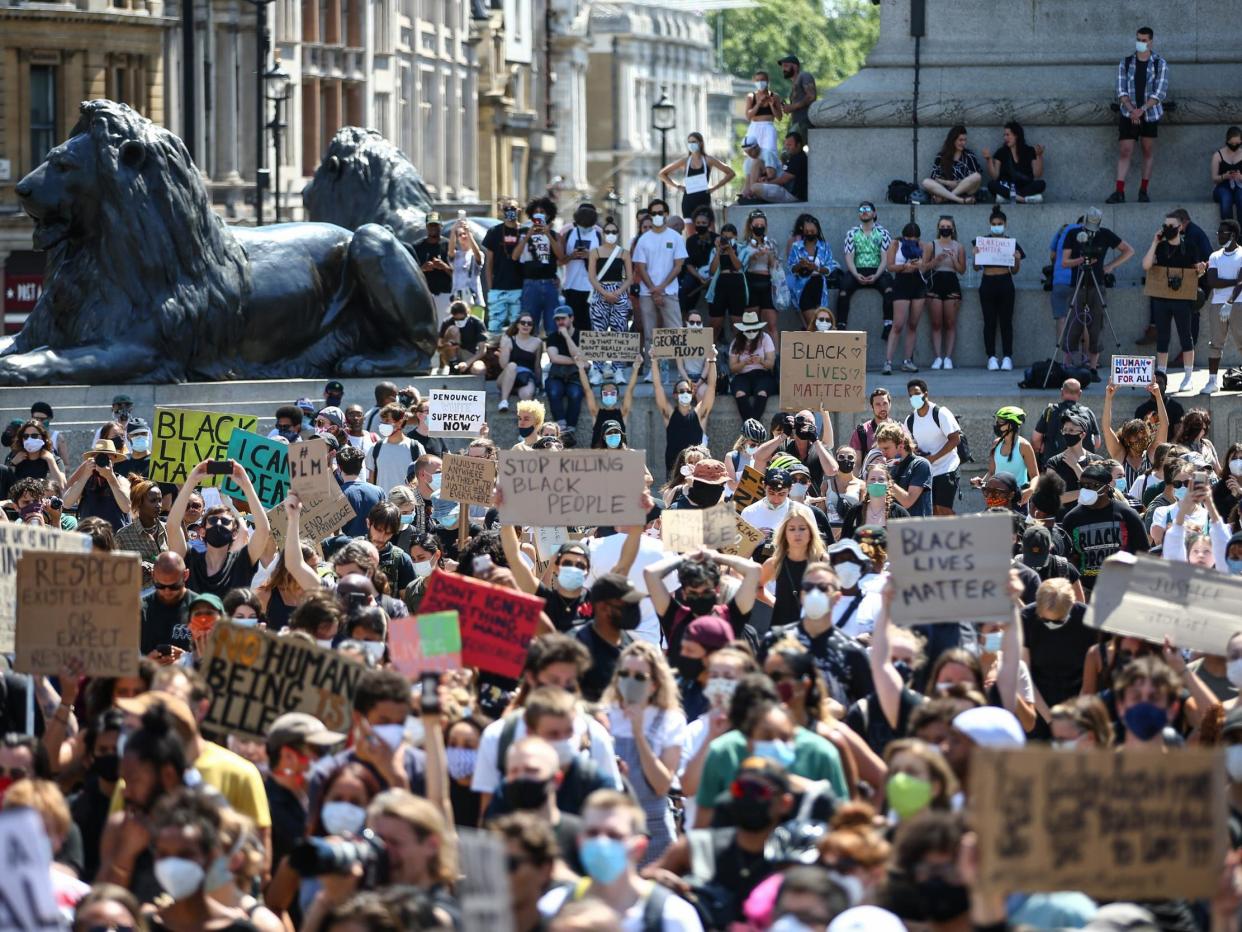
496,623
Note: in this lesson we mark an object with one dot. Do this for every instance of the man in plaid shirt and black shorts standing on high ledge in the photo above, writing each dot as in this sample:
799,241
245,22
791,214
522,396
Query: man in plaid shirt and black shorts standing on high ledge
1142,89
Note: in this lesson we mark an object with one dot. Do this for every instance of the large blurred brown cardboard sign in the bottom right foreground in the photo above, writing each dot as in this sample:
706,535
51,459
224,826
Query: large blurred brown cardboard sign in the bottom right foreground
1116,827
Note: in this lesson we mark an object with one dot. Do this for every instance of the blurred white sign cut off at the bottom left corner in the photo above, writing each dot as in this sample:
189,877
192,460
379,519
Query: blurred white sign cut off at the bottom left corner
28,903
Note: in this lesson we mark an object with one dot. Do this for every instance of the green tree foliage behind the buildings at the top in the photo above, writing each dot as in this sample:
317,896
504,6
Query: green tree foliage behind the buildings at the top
830,43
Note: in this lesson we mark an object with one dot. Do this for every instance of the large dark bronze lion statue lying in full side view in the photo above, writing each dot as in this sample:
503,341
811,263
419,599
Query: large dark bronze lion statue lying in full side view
146,284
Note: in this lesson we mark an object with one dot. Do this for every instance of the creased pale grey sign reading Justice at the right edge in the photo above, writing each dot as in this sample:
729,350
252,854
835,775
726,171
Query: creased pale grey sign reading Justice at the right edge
1148,597
